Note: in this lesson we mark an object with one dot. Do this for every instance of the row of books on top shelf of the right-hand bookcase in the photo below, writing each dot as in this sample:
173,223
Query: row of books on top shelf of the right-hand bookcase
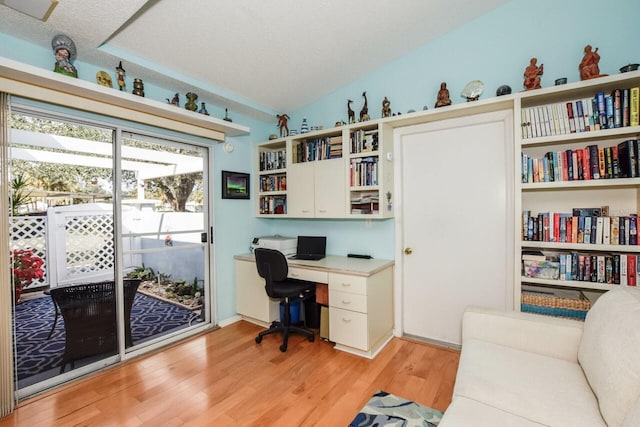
619,109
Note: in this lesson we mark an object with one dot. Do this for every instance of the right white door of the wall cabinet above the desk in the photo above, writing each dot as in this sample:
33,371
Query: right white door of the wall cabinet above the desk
330,189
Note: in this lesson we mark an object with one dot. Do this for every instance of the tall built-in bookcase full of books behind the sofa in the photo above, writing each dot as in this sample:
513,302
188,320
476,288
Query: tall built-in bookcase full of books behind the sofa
579,186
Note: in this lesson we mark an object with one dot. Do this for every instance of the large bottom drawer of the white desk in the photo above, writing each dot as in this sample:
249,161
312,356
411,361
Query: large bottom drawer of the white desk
348,328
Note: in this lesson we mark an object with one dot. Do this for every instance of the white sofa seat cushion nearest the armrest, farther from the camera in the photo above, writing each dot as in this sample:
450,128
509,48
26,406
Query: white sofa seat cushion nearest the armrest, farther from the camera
539,388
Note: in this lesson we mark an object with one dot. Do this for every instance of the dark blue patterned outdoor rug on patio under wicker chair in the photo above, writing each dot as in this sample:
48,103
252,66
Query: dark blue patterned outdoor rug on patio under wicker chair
34,317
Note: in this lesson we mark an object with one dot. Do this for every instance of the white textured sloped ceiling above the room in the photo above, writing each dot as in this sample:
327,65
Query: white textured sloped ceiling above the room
254,57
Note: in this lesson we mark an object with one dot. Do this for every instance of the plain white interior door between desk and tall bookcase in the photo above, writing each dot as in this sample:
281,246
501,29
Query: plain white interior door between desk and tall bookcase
457,221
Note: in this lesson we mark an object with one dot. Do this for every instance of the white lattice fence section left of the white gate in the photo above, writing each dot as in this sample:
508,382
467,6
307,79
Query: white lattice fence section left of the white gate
29,232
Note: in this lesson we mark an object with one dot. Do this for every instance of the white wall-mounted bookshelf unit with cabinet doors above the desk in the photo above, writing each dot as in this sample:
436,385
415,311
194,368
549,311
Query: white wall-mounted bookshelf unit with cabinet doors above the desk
332,173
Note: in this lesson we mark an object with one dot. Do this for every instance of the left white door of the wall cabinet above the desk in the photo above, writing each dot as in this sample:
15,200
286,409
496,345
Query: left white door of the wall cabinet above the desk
300,190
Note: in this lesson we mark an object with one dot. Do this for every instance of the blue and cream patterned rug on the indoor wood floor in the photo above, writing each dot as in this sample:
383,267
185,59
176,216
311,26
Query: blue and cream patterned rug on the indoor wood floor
385,409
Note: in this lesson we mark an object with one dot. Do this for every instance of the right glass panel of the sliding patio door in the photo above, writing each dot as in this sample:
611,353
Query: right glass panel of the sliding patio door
164,234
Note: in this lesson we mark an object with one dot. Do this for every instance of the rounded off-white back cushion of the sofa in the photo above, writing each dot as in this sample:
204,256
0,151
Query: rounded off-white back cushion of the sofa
609,352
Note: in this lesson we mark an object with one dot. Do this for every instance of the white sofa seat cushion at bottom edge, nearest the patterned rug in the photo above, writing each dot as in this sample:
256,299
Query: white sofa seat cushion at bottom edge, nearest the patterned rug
467,412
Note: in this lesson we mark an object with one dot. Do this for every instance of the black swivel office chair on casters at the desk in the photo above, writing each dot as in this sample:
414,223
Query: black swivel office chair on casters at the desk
272,266
